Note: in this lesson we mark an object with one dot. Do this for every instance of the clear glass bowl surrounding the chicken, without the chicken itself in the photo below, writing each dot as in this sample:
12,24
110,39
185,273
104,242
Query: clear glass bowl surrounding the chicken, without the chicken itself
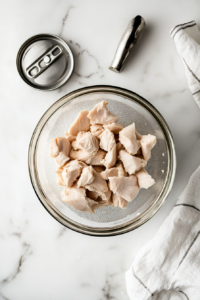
130,107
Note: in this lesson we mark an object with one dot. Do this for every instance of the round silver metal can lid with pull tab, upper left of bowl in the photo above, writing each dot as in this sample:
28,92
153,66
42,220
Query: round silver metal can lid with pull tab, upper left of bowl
45,62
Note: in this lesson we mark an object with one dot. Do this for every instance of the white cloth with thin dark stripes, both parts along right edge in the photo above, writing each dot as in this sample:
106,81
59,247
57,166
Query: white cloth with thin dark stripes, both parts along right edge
168,266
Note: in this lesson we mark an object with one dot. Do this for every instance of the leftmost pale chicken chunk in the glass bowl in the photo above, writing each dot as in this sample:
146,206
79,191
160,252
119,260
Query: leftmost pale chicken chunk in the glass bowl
64,151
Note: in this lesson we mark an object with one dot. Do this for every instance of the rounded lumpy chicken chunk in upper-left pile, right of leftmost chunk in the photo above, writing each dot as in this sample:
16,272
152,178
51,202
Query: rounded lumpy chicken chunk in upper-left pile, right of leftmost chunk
86,142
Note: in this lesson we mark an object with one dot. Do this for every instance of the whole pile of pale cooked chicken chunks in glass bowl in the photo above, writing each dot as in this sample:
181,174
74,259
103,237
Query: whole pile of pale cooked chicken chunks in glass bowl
101,163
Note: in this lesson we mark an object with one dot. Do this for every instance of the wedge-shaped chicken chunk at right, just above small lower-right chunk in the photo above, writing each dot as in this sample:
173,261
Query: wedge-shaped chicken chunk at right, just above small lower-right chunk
131,163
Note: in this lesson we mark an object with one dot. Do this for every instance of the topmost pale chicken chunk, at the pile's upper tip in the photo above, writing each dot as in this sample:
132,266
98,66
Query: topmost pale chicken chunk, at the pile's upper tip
101,115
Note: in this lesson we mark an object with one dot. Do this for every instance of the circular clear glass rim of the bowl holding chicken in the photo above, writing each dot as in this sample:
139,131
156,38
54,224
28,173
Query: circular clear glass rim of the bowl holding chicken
146,215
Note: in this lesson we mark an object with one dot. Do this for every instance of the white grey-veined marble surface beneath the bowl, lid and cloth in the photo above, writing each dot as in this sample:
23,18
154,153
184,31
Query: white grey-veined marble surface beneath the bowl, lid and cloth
39,258
